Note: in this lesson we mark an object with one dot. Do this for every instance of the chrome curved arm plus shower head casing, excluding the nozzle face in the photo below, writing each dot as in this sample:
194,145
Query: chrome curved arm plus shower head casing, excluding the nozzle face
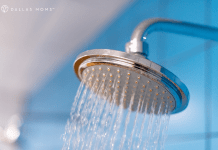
133,60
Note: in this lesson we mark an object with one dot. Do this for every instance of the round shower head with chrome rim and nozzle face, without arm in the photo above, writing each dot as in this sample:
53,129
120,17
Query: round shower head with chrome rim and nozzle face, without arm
132,80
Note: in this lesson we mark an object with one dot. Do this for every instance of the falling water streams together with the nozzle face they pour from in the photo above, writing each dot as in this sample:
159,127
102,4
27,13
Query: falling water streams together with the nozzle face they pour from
117,110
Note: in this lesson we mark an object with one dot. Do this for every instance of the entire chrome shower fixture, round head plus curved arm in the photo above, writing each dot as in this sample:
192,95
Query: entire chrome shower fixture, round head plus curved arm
131,78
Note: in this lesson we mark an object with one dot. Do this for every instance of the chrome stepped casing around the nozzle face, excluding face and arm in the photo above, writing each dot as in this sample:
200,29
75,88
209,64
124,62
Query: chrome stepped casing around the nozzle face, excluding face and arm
157,74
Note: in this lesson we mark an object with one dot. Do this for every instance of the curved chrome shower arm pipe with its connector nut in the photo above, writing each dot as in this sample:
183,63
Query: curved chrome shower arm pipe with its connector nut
141,32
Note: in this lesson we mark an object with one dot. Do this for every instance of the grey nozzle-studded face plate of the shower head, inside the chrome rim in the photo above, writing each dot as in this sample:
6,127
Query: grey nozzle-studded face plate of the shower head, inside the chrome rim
128,88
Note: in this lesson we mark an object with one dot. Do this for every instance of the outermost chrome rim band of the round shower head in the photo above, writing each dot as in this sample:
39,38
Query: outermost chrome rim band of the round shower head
138,59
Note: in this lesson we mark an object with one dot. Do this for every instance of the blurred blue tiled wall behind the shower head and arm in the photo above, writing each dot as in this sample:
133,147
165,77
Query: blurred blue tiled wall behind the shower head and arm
193,60
